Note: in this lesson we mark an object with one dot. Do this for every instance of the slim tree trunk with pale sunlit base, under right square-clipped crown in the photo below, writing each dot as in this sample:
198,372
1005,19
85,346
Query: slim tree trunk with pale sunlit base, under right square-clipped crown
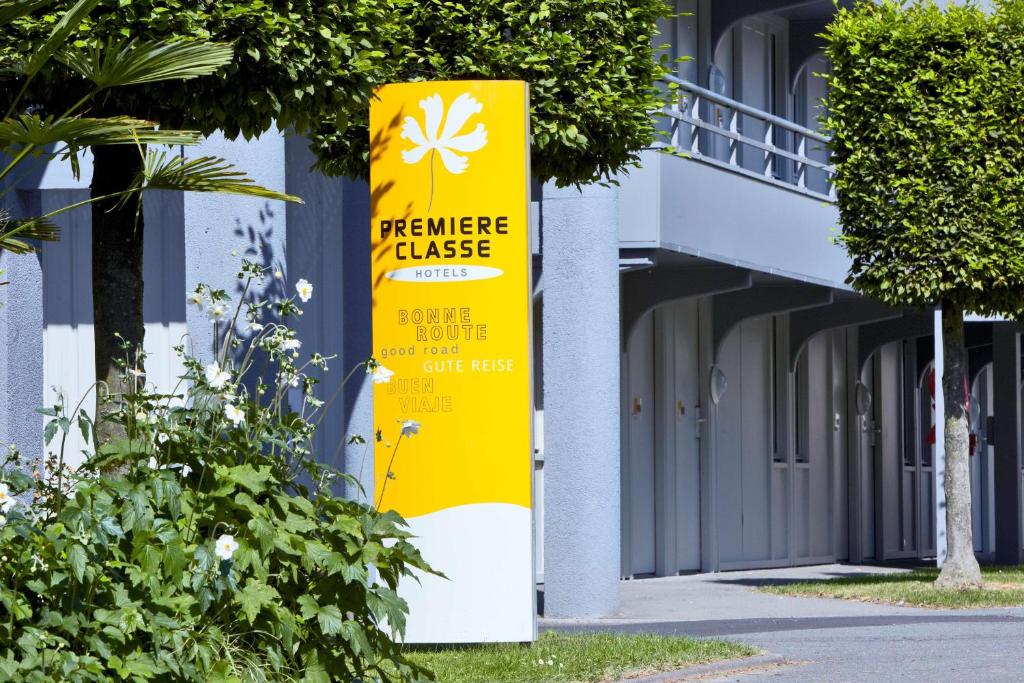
961,569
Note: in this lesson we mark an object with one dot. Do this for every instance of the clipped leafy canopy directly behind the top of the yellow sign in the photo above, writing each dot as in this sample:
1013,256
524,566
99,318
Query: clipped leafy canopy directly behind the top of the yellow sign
591,66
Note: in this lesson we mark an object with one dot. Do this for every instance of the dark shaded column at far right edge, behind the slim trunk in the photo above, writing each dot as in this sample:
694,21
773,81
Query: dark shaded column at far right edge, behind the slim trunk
1006,404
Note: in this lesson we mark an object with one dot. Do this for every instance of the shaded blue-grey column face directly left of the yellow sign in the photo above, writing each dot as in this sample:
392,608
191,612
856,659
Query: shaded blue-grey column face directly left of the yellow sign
329,245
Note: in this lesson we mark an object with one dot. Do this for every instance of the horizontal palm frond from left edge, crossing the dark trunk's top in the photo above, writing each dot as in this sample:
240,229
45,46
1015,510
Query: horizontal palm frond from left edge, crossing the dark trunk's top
30,130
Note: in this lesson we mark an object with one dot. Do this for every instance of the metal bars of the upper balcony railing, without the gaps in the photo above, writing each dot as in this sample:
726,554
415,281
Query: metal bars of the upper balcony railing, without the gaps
688,112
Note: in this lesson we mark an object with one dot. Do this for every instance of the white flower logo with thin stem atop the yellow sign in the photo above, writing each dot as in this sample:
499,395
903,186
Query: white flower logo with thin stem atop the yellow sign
449,142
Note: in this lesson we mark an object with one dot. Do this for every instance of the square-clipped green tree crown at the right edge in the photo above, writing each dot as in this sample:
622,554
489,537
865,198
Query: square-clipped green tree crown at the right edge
923,107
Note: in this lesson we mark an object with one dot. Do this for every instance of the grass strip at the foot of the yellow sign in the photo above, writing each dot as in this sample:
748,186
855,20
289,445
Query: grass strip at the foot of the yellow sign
575,659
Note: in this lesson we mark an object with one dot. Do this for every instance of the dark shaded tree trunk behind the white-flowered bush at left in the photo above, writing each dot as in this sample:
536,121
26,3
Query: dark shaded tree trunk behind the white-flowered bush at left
117,280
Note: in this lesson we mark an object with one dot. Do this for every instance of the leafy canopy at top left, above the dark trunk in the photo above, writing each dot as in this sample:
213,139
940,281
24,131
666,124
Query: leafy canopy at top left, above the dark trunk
295,61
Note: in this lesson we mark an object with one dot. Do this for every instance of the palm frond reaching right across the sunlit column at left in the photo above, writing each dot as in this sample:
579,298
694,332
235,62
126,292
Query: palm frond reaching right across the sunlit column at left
205,175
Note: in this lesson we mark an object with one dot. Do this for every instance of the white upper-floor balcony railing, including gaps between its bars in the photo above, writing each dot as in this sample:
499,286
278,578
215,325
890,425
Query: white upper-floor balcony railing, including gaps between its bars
717,131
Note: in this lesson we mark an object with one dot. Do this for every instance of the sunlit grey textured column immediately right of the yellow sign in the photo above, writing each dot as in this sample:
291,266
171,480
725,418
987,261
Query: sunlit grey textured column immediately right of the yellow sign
582,389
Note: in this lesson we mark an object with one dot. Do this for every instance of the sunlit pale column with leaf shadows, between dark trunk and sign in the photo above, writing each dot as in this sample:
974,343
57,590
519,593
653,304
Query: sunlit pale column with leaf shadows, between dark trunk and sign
218,225
